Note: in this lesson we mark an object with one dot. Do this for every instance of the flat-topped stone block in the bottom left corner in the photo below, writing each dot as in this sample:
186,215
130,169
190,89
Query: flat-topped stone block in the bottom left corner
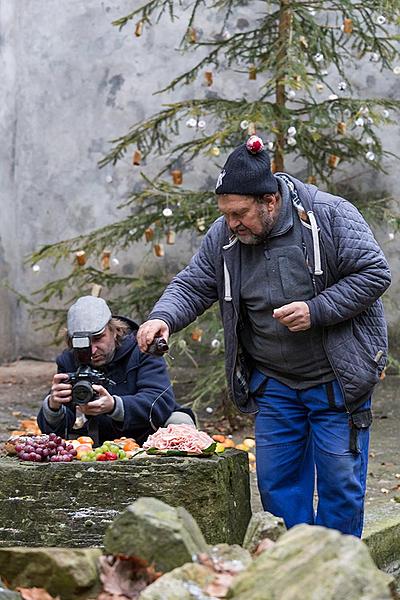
70,573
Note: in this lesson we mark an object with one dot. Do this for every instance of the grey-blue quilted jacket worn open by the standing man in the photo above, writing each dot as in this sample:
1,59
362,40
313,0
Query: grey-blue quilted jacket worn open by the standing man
351,275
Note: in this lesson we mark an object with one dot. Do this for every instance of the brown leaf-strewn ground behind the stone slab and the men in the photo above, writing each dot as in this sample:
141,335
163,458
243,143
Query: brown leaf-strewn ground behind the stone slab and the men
24,383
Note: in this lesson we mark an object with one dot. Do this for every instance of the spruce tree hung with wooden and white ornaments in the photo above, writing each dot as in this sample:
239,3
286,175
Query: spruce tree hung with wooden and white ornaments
300,57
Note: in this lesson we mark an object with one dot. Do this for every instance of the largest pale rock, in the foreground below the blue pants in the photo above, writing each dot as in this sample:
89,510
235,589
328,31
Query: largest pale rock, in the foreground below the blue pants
313,562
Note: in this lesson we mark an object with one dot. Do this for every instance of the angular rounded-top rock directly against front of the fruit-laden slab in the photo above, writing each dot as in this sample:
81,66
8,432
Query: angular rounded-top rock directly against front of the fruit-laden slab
161,534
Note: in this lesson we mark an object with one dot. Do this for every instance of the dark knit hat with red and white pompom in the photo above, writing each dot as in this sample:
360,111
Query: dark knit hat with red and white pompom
247,171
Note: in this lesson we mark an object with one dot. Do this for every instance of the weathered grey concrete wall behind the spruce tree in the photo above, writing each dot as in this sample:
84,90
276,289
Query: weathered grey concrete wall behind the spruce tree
70,82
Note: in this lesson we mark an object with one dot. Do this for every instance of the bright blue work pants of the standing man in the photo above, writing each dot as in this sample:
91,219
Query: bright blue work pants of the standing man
302,437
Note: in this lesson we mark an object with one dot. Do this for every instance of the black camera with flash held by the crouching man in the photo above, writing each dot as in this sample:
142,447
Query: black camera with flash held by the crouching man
84,377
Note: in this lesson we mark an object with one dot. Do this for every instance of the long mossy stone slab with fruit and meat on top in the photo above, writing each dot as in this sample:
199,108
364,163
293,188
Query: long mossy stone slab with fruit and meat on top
72,504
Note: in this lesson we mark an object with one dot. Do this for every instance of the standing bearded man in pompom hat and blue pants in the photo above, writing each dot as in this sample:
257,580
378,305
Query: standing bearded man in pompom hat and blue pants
298,276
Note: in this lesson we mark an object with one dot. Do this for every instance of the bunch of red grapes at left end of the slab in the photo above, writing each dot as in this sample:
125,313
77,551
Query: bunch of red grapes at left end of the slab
48,448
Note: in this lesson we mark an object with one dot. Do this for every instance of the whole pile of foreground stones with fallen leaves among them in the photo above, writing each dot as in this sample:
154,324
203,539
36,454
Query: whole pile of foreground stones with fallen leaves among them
303,563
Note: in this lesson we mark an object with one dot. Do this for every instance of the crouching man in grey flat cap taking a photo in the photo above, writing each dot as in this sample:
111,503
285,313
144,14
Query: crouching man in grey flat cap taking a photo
105,386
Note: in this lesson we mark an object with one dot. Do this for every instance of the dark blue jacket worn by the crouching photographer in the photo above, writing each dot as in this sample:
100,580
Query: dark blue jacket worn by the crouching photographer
141,380
